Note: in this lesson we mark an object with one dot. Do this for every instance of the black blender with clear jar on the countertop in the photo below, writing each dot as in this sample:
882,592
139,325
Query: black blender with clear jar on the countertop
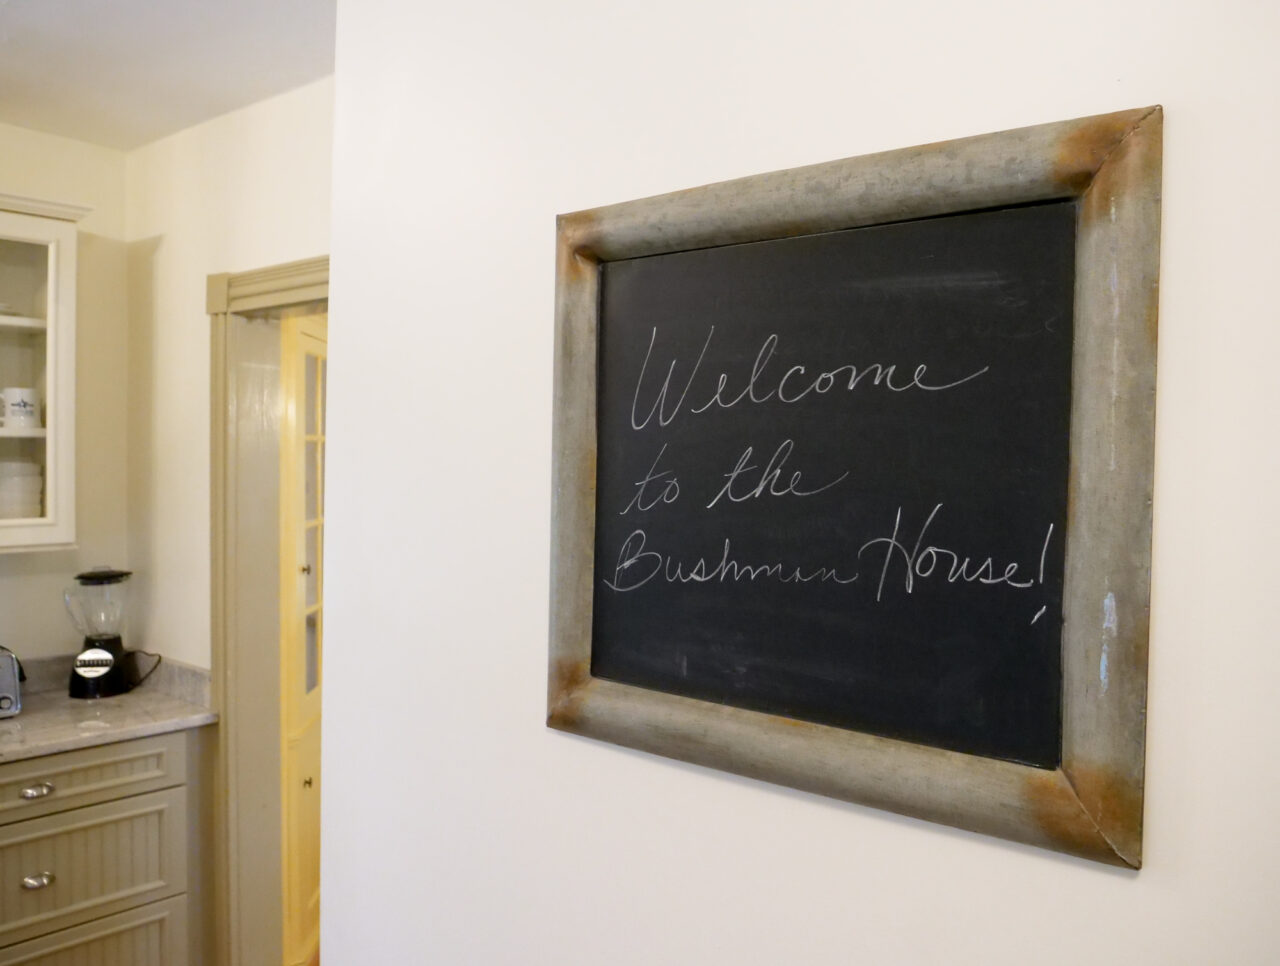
97,606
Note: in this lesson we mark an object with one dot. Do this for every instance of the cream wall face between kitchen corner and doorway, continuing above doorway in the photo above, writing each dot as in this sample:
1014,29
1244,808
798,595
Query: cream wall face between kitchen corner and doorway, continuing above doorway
244,191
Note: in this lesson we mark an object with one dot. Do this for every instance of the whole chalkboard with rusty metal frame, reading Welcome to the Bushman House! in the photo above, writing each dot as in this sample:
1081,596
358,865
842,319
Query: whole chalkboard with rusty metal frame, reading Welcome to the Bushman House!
853,479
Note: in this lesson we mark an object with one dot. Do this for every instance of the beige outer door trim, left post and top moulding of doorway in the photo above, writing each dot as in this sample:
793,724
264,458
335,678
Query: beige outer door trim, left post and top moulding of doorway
227,295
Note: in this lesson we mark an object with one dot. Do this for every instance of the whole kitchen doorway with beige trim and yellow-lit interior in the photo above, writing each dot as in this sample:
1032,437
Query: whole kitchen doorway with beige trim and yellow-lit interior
268,382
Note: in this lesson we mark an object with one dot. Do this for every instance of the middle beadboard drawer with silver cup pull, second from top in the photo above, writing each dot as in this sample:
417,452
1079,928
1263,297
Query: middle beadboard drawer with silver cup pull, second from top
92,863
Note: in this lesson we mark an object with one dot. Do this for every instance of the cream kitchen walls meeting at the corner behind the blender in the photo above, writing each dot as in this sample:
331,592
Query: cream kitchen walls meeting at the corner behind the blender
244,191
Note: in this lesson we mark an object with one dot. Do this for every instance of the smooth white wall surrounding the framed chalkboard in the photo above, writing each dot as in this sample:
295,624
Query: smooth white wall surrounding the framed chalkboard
458,828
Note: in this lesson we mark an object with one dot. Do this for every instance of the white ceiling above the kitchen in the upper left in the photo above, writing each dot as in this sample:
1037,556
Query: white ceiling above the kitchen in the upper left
124,74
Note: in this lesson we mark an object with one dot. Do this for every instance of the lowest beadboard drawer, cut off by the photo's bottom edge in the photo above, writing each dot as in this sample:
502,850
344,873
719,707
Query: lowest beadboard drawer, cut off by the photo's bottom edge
150,936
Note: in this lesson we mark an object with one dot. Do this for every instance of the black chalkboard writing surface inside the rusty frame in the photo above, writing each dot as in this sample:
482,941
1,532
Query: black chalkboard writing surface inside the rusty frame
833,475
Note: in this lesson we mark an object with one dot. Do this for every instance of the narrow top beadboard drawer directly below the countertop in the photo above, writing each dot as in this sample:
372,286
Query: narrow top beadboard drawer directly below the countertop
43,786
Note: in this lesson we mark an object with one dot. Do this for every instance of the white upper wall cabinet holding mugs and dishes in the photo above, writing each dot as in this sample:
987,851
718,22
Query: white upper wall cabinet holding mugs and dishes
38,374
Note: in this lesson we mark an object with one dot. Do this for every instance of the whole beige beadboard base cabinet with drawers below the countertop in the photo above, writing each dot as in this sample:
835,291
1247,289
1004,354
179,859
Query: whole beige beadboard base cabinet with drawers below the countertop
100,855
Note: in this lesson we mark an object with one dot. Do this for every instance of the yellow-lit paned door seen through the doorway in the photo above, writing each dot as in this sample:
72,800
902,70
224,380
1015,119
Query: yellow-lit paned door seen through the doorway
303,445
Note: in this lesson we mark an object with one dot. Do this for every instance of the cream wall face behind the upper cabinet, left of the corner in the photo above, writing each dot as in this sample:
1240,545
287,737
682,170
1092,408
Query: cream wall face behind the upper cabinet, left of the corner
33,620
